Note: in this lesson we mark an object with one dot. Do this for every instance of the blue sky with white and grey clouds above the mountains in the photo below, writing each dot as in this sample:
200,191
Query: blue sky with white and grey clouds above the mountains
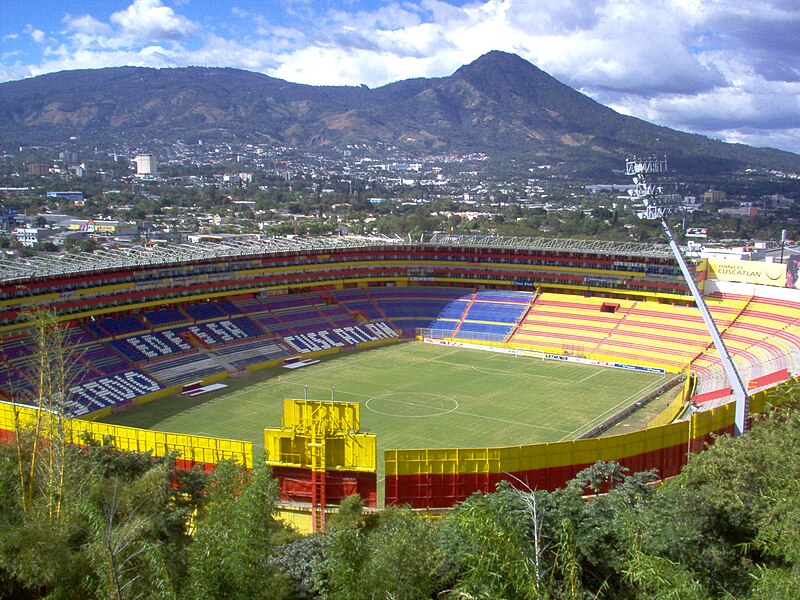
726,69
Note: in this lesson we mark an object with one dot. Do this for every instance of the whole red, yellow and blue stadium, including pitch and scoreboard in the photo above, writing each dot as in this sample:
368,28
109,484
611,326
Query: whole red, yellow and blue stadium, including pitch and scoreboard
153,327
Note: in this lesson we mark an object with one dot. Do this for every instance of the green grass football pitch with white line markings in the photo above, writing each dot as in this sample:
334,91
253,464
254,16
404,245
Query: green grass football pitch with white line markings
414,395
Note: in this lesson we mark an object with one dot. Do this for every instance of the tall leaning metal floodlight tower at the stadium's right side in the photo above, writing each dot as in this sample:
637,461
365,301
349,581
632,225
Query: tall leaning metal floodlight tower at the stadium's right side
657,193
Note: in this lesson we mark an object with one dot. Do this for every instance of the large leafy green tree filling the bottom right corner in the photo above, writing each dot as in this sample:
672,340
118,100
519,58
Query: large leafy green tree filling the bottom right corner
730,520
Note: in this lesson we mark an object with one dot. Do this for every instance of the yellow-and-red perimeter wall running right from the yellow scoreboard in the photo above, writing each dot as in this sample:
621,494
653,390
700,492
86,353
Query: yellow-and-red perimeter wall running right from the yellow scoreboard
437,478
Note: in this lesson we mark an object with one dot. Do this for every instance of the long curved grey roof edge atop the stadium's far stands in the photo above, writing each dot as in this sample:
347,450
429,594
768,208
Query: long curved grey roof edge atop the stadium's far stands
47,265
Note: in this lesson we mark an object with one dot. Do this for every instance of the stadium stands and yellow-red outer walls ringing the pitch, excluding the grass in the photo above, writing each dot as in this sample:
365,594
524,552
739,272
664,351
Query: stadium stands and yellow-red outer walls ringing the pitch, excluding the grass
152,322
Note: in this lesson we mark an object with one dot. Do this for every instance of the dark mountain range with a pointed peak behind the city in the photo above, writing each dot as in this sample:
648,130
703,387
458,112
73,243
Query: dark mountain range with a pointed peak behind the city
499,104
